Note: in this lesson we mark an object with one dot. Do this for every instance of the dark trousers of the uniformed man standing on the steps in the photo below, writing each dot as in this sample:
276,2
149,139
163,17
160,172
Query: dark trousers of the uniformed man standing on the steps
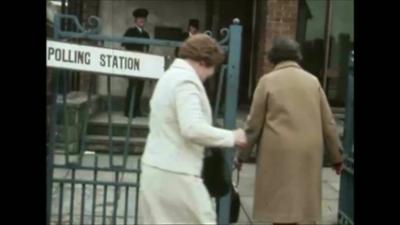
139,83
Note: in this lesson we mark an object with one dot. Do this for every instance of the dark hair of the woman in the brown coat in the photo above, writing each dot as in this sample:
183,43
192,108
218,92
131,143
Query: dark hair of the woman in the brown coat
284,49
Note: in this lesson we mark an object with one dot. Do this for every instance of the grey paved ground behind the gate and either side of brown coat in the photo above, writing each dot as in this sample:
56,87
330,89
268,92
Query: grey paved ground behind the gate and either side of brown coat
105,203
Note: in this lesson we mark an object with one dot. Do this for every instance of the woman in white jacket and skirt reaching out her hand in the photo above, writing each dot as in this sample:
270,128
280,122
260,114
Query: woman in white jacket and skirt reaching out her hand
171,190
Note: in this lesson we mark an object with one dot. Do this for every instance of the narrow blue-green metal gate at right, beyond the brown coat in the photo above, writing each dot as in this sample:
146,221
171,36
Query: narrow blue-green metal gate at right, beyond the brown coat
346,198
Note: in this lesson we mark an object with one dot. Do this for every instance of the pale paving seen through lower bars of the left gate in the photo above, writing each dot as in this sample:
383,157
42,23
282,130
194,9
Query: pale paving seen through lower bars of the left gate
85,200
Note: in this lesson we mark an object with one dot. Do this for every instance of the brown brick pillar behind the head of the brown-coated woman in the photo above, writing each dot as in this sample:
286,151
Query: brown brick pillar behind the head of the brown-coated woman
281,20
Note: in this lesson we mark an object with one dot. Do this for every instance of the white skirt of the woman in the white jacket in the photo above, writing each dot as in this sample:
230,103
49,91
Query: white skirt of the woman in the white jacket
171,198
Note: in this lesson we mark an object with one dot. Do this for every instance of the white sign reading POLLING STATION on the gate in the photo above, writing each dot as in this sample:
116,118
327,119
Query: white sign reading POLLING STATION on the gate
103,60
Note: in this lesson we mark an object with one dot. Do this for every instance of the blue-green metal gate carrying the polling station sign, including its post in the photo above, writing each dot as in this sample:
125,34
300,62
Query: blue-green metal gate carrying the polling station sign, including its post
85,188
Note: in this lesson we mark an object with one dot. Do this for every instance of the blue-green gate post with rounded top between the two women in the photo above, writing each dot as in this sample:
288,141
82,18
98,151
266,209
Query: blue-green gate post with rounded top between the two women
231,101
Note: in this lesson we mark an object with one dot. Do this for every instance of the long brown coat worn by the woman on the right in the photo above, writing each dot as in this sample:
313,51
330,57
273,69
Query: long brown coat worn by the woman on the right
290,119
